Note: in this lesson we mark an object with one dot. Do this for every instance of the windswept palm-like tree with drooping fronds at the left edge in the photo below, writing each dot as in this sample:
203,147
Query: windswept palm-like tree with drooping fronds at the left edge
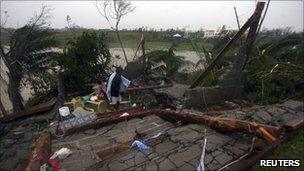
27,56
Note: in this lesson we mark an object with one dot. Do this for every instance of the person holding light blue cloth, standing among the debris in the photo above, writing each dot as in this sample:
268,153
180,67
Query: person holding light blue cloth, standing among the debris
115,85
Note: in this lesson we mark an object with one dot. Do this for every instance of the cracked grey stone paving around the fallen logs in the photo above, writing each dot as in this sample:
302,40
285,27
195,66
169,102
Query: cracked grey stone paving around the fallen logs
180,151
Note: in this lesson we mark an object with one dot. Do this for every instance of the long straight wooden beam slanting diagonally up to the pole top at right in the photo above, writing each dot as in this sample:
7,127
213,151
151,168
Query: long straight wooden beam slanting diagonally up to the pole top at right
219,57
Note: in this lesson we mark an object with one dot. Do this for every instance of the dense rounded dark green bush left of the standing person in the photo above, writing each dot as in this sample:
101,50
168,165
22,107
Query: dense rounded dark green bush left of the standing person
84,60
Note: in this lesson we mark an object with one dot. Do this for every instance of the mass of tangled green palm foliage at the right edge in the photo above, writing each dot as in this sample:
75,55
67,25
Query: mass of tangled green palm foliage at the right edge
276,69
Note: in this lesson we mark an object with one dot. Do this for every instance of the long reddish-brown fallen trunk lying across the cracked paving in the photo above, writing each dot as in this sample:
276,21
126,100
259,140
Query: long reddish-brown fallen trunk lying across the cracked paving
268,132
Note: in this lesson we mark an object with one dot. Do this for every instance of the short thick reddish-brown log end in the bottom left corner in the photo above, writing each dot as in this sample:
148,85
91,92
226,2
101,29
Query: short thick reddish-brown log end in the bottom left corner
40,154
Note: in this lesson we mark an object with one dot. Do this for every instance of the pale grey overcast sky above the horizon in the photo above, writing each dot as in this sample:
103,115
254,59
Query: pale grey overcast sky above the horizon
192,15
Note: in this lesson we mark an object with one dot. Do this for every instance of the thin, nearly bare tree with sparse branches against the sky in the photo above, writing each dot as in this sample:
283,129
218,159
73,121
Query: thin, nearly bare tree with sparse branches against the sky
113,12
